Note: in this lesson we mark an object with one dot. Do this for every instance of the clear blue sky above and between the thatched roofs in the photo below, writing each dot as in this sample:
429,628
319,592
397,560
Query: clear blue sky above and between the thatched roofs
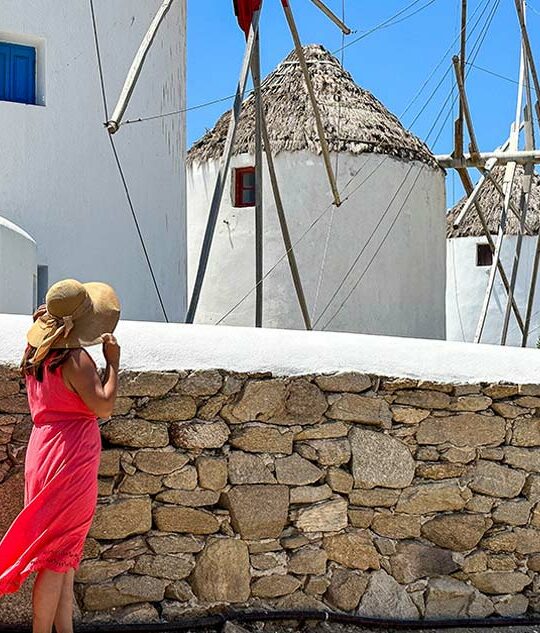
392,62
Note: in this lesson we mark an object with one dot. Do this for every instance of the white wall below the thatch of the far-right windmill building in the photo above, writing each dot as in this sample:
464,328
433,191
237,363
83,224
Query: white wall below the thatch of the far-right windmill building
466,287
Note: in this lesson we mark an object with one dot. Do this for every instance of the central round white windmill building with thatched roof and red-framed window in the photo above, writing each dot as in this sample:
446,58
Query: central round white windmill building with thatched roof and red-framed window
393,191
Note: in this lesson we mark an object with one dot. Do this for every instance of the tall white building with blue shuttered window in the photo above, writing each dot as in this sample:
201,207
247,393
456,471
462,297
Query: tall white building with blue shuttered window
58,178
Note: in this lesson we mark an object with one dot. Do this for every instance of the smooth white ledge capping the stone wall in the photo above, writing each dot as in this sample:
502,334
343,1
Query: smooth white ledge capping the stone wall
162,347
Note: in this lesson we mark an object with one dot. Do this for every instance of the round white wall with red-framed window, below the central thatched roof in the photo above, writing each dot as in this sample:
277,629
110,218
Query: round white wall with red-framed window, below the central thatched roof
401,294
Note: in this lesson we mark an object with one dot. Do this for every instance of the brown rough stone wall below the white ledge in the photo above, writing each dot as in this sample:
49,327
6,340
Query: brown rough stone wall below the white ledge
353,492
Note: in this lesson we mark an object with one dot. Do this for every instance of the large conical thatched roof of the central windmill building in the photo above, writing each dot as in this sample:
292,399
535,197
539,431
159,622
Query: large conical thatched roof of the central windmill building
354,120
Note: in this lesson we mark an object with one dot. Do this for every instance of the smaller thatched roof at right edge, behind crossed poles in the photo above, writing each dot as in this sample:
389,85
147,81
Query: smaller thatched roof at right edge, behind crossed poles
491,204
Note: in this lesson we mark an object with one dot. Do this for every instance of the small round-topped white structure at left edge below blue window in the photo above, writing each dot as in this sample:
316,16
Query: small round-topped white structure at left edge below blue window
18,268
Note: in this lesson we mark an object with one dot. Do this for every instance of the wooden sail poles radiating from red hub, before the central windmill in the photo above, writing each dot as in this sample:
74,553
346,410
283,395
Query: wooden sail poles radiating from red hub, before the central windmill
248,13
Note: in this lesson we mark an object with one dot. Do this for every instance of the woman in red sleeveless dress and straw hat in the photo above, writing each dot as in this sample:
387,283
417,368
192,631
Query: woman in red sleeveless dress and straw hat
65,395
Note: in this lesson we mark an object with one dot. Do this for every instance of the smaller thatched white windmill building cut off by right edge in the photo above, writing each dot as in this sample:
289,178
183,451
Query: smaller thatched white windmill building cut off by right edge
469,265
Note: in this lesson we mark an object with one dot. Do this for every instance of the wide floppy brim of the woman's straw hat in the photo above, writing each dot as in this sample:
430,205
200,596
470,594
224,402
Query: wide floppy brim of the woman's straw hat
87,330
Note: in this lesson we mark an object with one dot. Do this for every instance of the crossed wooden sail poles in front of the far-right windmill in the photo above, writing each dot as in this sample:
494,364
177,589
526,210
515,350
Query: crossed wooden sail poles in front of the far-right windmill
514,193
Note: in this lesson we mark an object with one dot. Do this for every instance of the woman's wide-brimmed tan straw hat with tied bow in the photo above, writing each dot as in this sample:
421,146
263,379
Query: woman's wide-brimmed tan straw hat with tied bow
77,315
